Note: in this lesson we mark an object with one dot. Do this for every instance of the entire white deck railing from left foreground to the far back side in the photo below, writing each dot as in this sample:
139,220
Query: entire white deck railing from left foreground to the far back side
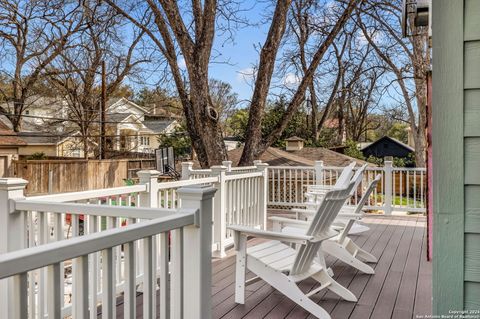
45,226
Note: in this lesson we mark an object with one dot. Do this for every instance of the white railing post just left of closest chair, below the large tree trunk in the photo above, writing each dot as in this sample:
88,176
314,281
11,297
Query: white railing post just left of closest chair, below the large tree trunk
219,211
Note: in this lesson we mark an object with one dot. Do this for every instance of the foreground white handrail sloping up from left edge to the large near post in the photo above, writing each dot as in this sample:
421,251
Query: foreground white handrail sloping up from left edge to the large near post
28,259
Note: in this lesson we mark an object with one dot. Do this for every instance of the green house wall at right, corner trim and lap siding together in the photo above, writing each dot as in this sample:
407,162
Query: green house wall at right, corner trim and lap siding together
456,142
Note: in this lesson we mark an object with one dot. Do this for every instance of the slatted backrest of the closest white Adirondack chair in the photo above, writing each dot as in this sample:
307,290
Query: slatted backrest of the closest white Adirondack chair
323,219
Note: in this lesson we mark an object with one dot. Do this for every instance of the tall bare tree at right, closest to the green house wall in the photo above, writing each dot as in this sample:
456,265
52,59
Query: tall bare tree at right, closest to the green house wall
408,60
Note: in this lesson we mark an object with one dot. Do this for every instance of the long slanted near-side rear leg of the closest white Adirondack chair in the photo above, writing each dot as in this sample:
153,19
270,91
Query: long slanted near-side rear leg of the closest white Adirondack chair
286,286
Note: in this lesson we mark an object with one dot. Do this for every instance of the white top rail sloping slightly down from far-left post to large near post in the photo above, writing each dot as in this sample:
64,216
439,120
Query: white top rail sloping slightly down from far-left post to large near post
92,209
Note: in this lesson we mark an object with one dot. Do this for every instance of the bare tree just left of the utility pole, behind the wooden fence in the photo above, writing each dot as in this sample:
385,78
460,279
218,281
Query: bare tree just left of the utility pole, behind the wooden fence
76,72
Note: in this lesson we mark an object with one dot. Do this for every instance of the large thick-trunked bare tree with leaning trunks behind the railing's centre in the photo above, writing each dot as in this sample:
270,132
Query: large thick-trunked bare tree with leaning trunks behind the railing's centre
194,33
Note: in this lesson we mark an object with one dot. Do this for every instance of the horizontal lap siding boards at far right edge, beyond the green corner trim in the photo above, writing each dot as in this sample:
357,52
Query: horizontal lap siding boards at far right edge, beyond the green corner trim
472,153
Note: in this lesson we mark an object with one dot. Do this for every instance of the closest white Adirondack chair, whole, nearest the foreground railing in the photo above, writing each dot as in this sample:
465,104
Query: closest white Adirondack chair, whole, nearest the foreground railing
282,266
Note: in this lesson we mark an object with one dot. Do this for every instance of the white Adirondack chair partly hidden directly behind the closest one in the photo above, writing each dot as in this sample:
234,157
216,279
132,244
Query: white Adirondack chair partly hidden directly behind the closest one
341,246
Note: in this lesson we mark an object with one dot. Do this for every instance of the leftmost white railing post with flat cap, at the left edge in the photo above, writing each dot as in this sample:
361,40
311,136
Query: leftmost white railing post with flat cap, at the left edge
13,234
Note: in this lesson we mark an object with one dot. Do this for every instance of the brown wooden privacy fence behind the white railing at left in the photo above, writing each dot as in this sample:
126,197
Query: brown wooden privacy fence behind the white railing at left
56,176
